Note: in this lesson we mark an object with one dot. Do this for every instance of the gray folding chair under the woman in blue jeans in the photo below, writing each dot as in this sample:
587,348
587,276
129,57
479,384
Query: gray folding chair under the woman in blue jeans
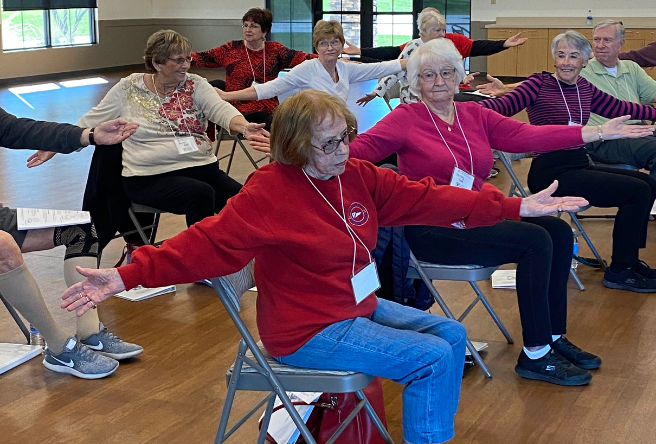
255,370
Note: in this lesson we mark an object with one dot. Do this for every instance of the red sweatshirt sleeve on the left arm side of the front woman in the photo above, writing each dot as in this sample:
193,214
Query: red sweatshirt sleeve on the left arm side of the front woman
216,246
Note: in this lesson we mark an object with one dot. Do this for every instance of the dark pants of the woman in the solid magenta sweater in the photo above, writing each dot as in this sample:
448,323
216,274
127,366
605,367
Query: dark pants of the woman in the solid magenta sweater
541,247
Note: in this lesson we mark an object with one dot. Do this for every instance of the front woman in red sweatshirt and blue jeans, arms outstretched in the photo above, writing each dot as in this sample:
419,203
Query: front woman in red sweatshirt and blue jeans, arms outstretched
316,305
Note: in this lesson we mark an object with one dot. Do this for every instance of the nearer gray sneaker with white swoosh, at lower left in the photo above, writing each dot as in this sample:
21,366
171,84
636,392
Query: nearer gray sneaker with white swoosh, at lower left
80,361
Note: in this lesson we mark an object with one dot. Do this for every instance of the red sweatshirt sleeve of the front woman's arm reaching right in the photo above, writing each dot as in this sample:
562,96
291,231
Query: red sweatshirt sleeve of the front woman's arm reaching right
401,201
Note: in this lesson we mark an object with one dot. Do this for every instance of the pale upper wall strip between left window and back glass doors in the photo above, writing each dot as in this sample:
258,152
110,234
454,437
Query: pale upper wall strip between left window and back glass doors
203,9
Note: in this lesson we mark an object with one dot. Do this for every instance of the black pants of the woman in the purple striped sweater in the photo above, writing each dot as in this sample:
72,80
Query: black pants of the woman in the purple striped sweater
632,192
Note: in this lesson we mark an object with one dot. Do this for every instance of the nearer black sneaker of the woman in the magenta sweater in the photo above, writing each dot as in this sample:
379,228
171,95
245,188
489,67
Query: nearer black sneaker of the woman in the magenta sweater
551,368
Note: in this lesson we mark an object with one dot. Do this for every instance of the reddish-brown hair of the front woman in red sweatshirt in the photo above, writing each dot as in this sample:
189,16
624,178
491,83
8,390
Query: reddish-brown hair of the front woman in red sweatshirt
295,119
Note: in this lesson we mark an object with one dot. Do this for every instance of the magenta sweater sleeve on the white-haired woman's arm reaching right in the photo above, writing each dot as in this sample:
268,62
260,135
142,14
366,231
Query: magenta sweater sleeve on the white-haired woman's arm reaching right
513,136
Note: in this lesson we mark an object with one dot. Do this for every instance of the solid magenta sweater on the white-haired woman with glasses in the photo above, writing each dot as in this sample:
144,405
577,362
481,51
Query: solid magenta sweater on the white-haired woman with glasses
410,132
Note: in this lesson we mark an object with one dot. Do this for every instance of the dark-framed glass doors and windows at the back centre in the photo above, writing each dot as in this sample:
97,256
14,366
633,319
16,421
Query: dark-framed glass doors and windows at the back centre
366,22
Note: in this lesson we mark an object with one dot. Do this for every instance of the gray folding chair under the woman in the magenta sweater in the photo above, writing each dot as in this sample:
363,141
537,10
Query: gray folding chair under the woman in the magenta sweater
429,272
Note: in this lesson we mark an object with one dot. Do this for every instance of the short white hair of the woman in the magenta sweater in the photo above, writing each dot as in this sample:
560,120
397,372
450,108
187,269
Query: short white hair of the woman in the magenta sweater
434,54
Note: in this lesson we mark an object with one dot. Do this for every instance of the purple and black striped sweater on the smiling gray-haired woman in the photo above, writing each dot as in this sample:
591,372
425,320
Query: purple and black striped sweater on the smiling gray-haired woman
544,103
